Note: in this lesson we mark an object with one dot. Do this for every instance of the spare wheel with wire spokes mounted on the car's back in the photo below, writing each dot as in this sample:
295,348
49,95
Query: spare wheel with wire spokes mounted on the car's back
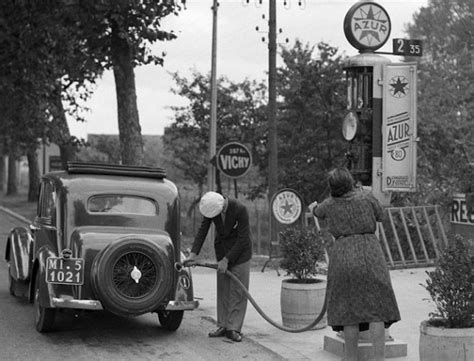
132,277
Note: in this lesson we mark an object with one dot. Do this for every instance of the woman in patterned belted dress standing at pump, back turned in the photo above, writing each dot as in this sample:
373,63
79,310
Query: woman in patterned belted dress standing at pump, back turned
359,291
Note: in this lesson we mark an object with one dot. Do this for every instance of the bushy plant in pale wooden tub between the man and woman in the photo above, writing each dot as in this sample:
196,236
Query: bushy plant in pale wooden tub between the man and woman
302,295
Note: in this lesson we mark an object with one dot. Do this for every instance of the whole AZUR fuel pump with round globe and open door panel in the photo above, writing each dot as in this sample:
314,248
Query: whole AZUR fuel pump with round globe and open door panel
380,122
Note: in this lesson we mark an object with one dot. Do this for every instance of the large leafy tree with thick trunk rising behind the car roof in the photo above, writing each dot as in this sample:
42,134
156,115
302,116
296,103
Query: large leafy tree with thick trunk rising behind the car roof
126,29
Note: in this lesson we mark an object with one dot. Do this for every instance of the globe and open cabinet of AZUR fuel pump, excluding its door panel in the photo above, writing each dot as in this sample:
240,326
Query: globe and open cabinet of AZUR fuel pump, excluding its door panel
367,27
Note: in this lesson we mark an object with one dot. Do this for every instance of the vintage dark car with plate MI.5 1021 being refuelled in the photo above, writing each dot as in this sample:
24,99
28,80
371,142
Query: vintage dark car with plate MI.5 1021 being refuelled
106,237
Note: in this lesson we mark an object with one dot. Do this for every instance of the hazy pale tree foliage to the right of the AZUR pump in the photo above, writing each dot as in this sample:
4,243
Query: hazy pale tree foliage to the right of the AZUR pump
445,98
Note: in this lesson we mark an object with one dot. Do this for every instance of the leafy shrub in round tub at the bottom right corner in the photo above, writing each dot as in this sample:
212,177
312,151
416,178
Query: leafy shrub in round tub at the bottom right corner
449,333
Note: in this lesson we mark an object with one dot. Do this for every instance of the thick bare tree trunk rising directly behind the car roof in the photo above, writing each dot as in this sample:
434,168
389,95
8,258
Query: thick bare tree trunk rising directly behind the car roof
131,142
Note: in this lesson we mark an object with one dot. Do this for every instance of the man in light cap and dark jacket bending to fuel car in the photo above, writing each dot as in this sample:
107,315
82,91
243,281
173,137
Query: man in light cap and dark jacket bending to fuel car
233,249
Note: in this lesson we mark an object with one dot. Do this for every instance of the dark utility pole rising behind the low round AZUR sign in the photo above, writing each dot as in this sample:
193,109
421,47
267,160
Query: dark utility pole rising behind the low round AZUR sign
272,112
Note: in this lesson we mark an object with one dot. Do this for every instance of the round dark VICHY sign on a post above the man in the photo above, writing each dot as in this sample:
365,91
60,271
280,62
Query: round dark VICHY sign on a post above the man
234,160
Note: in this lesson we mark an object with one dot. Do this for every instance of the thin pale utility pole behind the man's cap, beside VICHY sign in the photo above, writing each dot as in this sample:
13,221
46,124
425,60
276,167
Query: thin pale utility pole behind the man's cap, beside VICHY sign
211,173
